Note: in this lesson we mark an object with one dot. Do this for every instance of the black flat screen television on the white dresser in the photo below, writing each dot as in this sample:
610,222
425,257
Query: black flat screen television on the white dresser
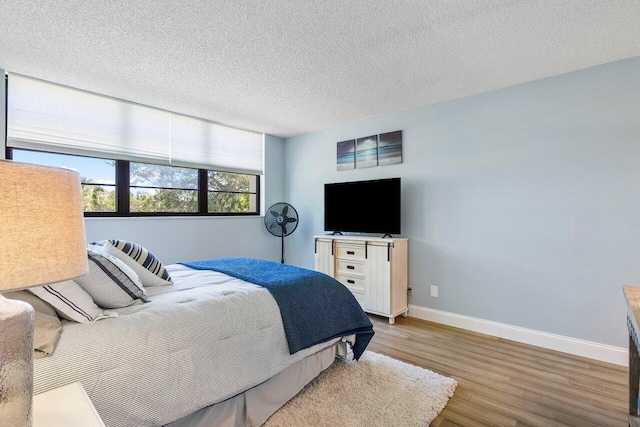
363,206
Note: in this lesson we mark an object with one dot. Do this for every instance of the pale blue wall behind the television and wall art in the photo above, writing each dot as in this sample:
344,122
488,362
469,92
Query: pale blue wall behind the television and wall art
522,204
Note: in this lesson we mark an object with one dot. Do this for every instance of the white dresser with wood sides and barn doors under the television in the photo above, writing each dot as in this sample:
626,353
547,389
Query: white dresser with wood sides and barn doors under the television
373,269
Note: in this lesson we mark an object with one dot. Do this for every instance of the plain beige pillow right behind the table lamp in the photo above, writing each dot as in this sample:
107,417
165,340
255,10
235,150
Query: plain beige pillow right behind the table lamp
47,326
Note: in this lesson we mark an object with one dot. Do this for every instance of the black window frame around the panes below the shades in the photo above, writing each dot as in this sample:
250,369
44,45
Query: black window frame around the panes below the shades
123,193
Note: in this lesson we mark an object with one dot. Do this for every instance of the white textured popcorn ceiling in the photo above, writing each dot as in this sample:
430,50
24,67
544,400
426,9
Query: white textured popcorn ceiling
291,67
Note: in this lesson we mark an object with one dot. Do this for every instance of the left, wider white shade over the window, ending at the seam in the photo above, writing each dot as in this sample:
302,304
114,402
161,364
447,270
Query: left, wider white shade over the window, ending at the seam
50,117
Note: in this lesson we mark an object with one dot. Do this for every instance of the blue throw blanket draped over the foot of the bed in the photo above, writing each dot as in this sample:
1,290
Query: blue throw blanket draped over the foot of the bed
314,307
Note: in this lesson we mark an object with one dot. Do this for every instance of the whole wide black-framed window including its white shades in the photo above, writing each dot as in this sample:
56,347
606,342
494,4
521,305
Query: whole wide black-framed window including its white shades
134,160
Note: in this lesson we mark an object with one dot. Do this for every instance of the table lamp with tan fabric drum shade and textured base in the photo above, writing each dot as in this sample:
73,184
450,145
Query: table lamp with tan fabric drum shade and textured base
42,240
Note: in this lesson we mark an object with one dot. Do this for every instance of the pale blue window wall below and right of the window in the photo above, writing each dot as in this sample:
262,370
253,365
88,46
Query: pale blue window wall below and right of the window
174,239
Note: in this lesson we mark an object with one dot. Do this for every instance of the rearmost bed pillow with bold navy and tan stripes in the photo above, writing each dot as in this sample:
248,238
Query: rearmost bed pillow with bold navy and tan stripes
147,266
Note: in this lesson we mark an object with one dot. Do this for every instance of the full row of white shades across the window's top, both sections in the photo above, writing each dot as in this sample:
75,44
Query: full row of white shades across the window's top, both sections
50,117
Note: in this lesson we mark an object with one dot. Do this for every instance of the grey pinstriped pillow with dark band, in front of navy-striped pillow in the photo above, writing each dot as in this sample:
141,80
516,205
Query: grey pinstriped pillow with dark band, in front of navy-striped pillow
111,283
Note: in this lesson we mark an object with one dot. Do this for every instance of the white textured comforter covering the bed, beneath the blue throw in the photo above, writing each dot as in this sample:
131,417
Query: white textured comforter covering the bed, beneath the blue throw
202,340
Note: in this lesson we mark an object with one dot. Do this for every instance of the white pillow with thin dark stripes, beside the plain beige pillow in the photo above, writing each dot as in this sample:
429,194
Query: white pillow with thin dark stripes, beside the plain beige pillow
71,302
